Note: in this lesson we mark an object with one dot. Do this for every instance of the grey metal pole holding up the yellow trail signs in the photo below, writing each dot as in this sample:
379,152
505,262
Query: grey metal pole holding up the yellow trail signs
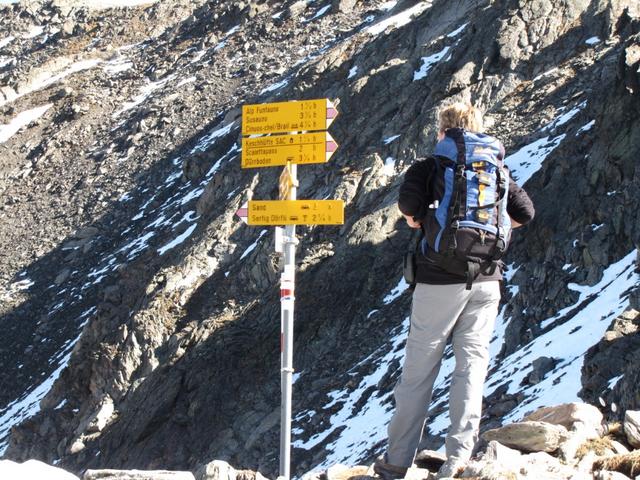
287,297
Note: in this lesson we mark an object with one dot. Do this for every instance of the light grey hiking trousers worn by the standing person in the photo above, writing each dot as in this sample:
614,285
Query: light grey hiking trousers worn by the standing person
439,311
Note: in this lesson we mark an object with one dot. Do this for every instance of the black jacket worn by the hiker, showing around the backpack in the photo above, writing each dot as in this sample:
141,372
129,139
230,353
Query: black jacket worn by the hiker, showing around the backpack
414,199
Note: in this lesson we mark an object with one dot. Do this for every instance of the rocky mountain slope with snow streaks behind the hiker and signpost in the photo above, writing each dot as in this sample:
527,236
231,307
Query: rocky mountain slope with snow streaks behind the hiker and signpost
141,318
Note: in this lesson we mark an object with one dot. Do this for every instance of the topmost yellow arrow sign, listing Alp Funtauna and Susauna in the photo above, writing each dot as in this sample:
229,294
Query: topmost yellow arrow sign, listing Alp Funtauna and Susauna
285,117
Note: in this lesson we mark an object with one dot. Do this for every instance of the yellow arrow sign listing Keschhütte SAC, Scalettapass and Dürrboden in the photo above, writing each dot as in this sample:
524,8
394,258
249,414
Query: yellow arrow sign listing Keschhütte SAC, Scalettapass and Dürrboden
278,150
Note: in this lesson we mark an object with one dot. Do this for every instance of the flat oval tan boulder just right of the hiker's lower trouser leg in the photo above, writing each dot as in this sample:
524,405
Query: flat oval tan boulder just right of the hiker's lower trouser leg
529,436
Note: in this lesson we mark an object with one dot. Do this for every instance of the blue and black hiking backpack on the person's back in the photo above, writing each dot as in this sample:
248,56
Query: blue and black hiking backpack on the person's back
467,228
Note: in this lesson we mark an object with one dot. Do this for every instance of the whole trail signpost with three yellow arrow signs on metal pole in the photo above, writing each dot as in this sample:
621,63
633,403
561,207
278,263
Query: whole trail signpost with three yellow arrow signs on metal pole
292,134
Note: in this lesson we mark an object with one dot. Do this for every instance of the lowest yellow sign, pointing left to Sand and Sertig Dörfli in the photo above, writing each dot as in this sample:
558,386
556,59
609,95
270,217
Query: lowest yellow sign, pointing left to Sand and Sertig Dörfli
294,212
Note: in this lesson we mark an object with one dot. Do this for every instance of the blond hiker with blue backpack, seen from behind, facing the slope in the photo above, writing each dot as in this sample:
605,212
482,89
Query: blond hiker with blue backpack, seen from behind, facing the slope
457,282
